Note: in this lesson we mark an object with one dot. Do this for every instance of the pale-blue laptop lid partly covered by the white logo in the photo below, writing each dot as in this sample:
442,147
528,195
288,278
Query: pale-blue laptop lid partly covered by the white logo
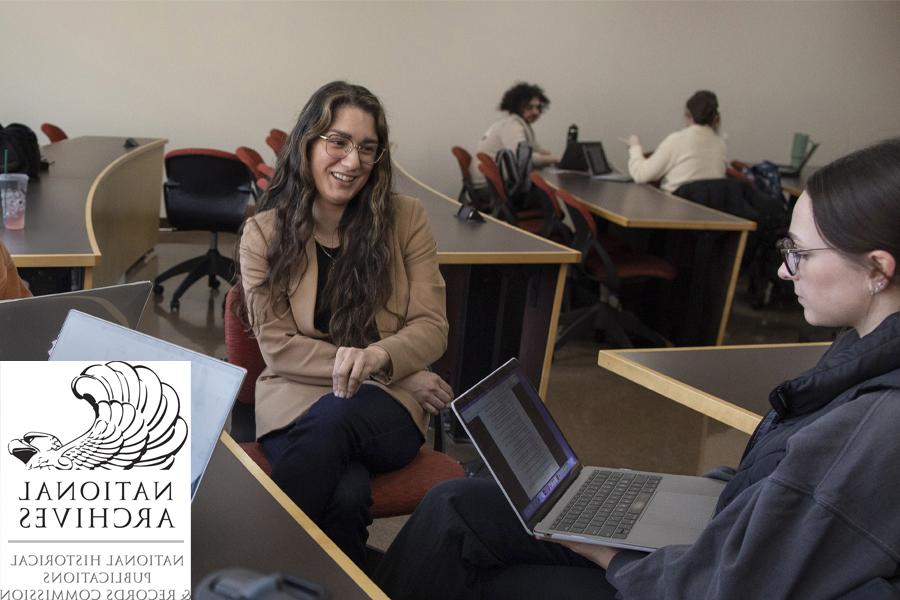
214,383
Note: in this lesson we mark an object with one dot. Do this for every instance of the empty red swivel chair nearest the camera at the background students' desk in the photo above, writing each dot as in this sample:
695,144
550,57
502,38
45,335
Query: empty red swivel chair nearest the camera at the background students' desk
606,269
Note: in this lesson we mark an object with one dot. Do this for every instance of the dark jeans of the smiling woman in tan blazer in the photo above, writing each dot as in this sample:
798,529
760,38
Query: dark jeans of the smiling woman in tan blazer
324,459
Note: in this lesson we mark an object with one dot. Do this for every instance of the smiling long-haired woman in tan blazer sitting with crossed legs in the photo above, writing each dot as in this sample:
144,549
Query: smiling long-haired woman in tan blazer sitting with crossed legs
344,293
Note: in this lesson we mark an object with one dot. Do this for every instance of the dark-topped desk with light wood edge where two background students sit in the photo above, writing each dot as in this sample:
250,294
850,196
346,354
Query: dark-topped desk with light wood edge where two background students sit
707,254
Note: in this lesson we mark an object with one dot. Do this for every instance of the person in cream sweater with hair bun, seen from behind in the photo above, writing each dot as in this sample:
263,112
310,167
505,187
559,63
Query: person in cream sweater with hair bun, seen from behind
693,153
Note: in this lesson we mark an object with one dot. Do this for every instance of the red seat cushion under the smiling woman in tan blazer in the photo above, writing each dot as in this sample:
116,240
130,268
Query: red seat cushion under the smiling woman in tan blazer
396,492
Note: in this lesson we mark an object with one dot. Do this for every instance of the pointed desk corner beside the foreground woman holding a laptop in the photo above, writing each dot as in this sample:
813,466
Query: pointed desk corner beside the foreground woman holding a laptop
730,384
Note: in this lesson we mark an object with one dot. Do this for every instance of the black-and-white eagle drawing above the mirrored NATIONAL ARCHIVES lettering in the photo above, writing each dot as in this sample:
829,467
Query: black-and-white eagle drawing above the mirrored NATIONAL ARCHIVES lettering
136,424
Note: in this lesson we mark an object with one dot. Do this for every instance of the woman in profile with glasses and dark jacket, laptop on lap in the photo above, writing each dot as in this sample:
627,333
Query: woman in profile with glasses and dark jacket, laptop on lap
811,510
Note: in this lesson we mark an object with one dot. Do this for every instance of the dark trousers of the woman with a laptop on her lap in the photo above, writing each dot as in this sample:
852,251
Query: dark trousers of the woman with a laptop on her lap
464,541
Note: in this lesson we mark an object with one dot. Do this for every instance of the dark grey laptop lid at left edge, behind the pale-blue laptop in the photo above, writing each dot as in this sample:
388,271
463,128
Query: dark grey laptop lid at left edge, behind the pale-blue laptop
30,325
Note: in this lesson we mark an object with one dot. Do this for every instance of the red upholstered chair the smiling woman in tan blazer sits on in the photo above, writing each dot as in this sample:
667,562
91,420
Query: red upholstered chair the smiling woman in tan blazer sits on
394,493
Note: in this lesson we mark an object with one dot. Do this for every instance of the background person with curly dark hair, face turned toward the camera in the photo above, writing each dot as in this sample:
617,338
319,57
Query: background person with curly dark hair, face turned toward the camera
524,103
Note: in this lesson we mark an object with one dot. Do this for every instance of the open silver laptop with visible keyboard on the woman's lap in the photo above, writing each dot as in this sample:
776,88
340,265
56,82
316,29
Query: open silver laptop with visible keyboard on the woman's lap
557,497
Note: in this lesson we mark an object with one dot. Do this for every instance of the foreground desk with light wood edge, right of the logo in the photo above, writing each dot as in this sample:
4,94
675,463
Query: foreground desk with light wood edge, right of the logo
240,518
